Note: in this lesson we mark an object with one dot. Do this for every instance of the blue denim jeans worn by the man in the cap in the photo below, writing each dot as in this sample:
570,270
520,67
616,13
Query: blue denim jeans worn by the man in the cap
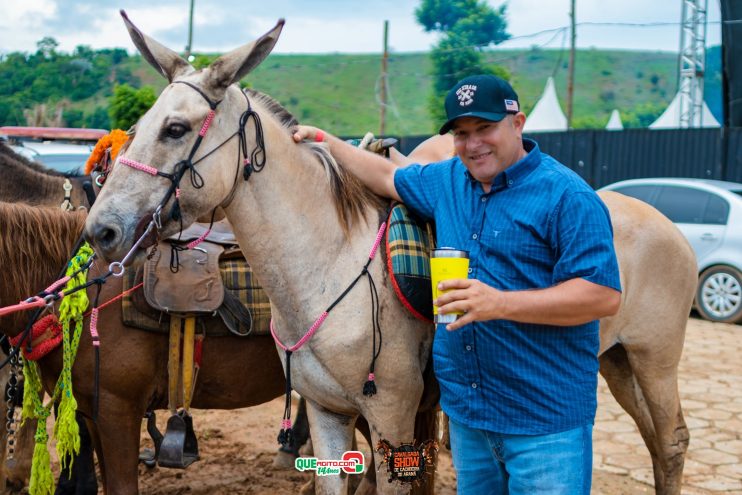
490,463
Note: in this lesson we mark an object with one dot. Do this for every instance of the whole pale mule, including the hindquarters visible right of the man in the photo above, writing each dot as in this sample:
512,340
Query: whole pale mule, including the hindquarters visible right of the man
307,227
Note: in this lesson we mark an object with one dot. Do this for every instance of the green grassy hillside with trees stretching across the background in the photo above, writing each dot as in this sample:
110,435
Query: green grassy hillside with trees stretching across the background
340,92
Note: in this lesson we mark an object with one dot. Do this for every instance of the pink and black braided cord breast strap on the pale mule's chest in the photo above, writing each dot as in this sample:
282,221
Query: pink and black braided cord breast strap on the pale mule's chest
285,435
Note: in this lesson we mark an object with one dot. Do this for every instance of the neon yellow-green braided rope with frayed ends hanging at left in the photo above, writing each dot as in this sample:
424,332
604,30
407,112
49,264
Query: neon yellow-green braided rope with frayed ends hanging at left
66,431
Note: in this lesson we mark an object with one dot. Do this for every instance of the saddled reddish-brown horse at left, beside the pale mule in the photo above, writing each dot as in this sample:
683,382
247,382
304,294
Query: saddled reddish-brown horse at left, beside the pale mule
235,372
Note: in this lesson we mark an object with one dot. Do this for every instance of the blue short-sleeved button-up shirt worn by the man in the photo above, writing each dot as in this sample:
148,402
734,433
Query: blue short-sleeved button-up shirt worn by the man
540,225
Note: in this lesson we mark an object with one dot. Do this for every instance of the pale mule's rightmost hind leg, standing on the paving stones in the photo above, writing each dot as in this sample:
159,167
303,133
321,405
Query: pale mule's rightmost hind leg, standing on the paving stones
658,378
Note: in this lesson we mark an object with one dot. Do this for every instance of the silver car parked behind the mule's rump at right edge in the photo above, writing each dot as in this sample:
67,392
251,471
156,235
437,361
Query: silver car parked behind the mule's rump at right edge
709,214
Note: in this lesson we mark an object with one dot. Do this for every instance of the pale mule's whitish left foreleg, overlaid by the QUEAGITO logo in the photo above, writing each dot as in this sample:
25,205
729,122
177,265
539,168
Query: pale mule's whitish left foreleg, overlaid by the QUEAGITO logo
332,435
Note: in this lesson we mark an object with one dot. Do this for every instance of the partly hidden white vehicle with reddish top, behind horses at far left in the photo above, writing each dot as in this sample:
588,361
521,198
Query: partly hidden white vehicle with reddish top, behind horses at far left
59,148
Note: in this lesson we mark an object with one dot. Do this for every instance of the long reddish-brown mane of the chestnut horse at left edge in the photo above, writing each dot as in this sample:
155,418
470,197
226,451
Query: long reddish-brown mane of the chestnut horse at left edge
35,243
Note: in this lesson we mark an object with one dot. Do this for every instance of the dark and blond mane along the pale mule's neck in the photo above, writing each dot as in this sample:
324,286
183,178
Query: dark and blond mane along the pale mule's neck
350,196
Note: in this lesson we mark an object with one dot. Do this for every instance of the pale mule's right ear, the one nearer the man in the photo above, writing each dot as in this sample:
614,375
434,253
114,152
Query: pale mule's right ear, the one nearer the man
233,66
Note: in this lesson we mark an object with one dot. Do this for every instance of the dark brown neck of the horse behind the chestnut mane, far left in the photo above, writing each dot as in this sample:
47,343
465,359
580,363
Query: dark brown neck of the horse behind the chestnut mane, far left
23,184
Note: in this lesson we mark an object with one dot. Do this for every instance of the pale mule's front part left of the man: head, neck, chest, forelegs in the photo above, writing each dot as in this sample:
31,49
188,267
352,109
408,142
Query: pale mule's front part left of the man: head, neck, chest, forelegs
304,224
